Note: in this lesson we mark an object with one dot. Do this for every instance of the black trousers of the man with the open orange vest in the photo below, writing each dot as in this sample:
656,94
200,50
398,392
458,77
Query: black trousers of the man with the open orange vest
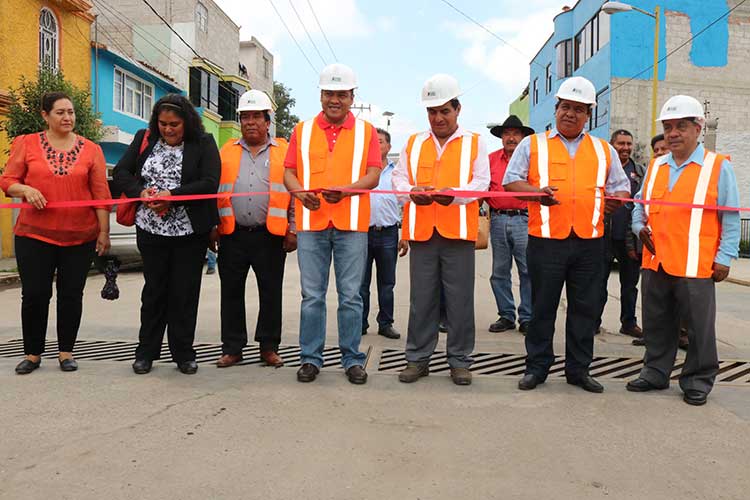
264,253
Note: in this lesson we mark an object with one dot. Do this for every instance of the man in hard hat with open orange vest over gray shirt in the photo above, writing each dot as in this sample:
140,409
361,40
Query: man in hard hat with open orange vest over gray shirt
254,232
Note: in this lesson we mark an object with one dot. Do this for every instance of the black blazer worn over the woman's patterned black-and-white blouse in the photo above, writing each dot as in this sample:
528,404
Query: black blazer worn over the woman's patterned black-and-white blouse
201,168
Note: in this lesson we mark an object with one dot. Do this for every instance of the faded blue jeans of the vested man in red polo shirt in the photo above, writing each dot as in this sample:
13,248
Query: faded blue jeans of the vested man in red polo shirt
314,252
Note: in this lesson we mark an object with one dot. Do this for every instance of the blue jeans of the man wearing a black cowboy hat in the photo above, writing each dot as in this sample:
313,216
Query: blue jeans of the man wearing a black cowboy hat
509,236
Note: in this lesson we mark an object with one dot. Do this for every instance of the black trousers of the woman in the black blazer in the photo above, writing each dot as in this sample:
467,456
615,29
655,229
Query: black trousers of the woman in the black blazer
172,269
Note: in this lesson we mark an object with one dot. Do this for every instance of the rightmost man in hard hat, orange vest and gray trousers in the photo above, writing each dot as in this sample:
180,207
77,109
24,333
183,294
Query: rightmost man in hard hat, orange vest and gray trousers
686,251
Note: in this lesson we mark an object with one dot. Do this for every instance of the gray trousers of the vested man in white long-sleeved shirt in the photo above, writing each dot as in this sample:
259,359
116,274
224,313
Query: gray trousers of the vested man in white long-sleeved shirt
435,263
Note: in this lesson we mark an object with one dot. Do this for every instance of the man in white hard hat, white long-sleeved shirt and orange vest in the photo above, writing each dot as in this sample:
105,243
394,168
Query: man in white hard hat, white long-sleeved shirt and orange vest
442,230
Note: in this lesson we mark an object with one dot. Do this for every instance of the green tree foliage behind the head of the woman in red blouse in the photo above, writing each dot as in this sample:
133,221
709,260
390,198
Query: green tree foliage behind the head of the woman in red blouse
25,115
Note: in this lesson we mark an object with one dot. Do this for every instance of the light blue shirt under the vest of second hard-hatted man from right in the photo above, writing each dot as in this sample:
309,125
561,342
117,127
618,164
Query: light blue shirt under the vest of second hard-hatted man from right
518,167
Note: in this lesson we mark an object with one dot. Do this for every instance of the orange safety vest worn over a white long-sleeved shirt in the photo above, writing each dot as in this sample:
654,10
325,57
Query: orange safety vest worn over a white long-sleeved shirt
453,168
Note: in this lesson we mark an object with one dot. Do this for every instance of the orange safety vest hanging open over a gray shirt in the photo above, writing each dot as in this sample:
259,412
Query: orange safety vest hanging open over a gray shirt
279,197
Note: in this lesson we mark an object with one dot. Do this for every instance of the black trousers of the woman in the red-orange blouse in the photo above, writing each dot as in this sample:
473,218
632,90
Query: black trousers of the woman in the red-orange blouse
37,263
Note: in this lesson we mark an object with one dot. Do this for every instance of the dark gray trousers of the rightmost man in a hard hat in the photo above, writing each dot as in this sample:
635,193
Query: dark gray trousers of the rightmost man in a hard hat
666,299
